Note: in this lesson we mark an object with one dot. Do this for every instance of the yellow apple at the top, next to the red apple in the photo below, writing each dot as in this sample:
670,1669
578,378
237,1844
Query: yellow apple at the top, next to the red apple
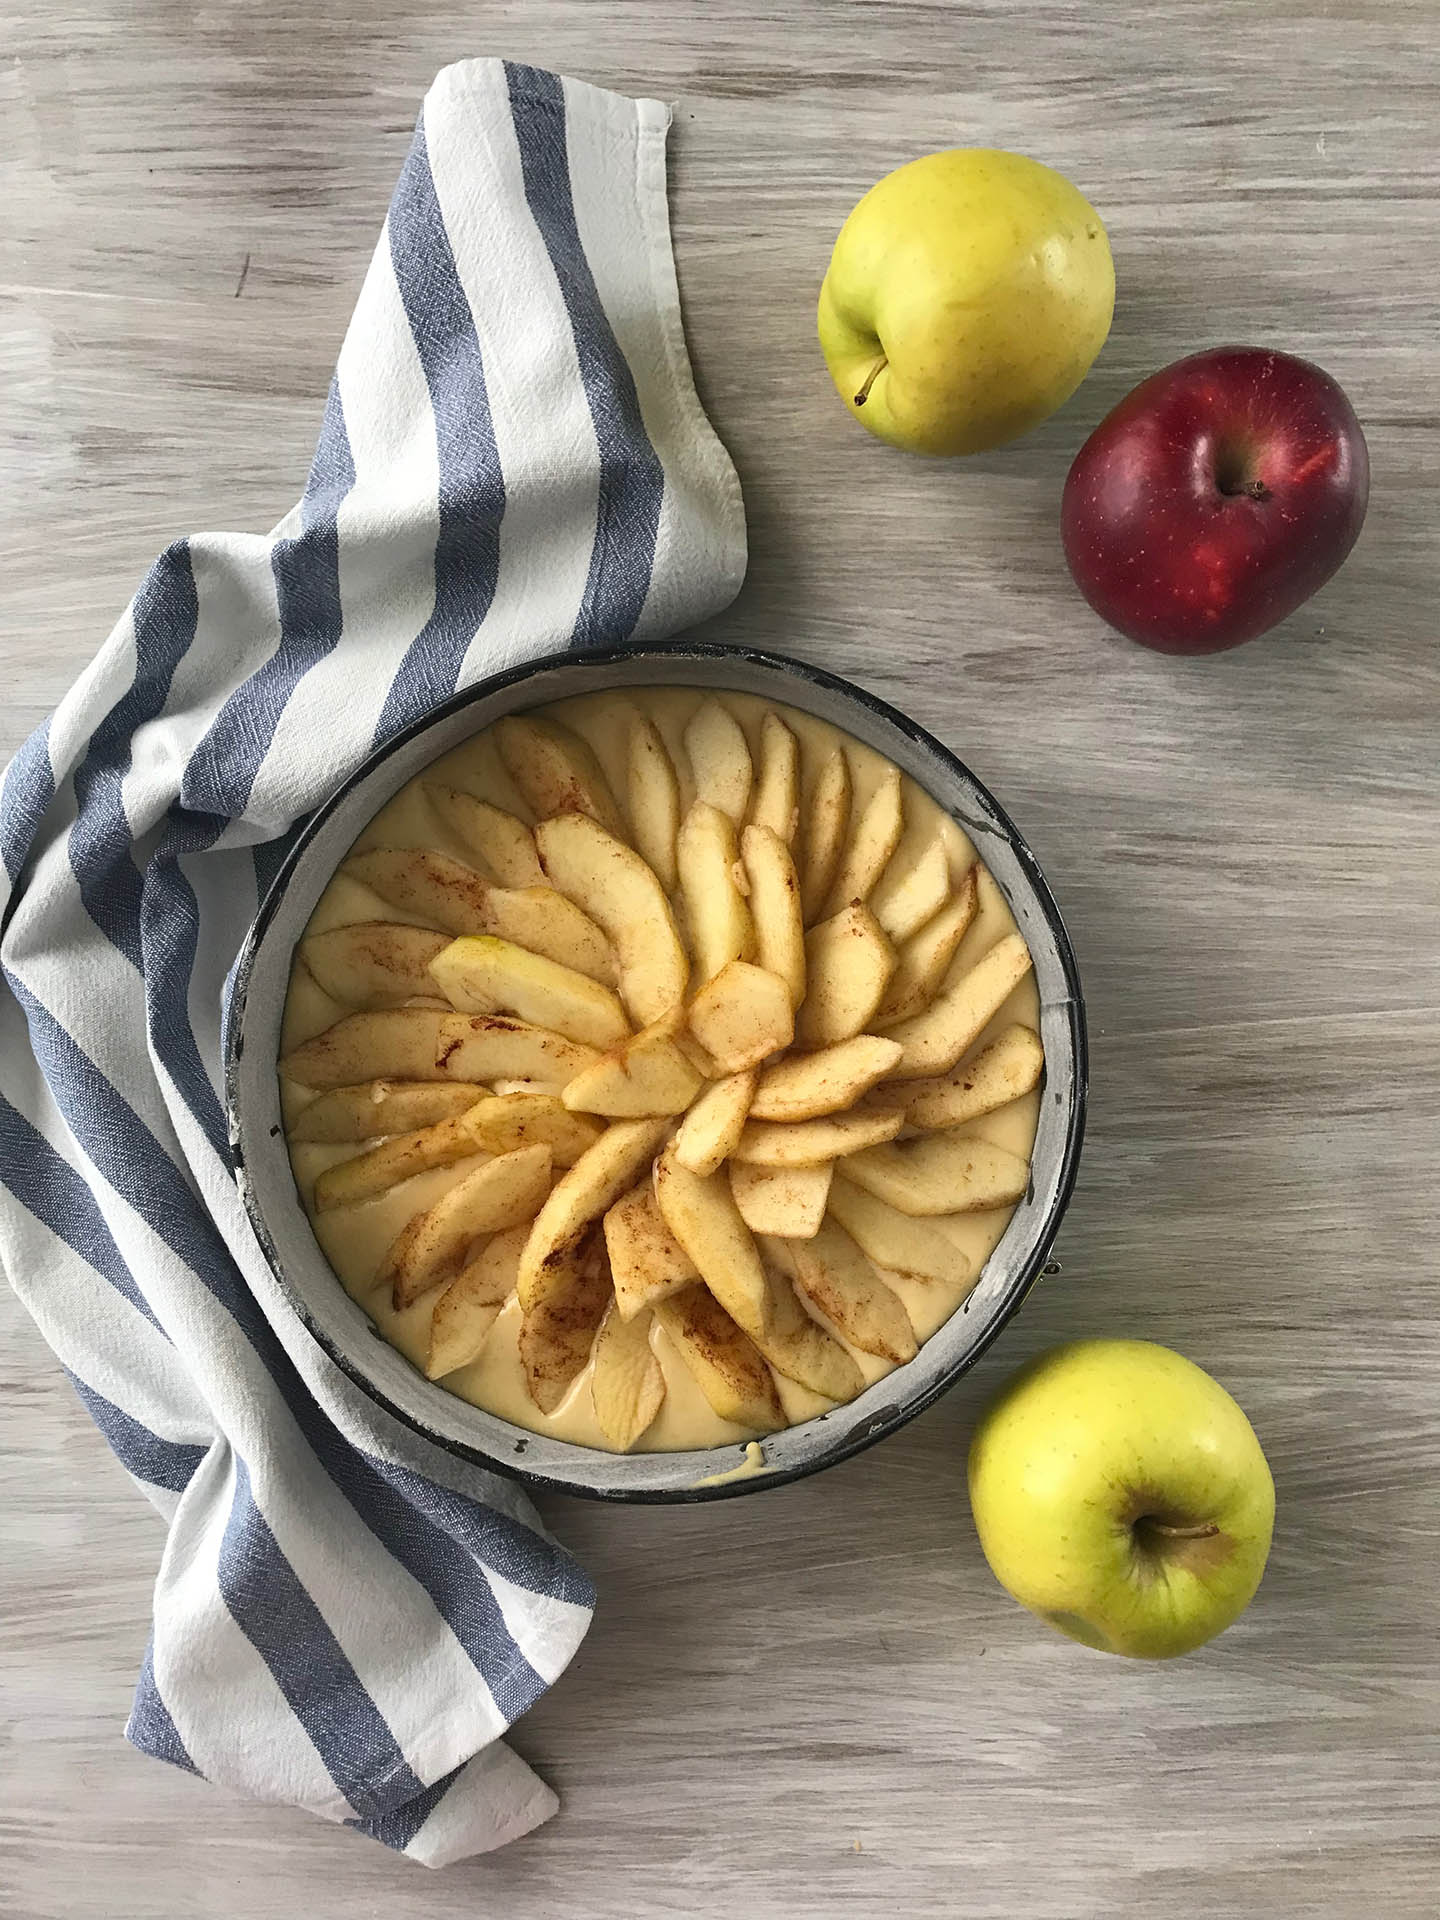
967,299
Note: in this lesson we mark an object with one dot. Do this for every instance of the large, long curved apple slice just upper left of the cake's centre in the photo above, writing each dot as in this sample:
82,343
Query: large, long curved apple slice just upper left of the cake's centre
613,884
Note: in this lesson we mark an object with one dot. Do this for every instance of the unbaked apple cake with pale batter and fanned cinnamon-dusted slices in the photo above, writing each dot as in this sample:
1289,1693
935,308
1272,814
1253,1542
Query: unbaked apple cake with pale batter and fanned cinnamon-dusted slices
661,1068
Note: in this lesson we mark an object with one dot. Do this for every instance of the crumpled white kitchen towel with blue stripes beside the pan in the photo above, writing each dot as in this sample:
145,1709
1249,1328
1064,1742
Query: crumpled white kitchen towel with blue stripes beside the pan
514,460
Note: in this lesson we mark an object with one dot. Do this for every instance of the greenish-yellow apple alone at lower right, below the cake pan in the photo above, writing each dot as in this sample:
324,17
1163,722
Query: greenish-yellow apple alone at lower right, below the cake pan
1122,1497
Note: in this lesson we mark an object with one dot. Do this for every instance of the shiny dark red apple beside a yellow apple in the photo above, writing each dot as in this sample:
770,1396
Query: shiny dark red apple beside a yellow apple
1216,498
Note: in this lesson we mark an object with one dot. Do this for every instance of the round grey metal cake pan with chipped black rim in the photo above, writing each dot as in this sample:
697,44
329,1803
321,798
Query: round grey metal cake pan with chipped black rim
341,1326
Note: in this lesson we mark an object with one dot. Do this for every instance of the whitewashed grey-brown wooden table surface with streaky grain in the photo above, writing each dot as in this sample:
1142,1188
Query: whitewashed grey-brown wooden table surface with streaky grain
817,1700
